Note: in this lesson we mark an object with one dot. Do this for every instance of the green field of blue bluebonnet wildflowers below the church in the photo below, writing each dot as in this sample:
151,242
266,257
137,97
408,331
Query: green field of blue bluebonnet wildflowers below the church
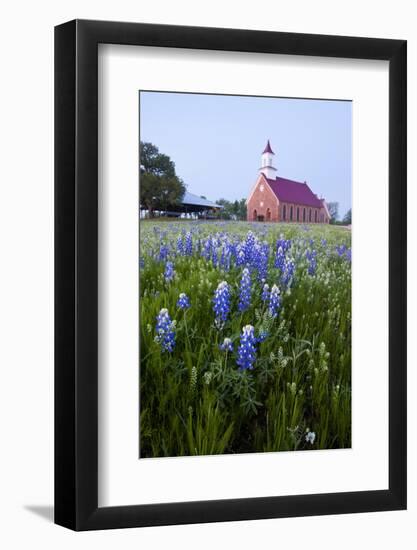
245,338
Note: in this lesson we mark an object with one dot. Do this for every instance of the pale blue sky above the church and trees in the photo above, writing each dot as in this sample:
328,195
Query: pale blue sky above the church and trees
216,141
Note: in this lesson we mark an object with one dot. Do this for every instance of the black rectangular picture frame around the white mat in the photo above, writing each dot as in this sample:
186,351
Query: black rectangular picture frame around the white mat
76,272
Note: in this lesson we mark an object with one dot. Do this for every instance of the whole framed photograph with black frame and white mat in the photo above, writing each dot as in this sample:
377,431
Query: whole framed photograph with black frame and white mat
230,253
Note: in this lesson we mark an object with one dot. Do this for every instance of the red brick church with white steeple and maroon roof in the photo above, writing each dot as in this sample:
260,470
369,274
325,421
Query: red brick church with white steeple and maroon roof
276,199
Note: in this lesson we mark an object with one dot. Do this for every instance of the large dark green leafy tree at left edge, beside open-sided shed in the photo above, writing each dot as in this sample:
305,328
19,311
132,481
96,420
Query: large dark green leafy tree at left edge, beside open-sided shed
160,187
